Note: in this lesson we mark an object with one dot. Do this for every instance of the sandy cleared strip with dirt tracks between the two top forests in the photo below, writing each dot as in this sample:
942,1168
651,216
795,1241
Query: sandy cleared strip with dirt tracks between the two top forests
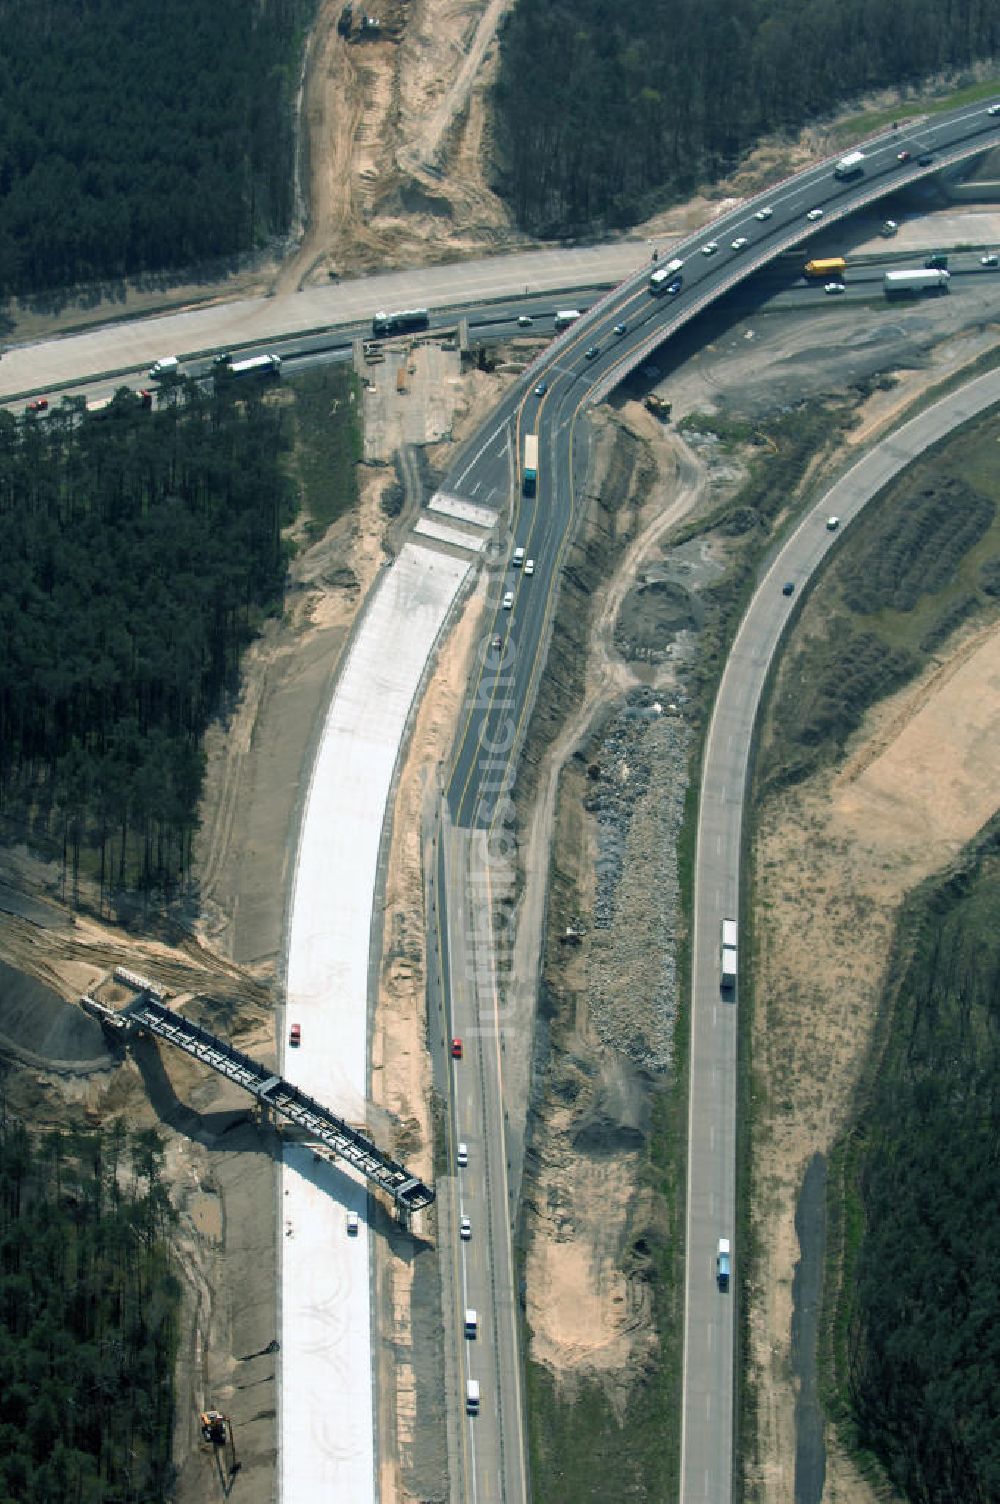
395,142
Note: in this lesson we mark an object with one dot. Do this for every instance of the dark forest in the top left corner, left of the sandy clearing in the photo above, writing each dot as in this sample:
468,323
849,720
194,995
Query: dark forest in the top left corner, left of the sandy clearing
136,138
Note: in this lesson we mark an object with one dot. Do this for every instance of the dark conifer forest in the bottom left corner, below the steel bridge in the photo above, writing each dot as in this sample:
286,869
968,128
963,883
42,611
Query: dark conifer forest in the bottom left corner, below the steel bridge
88,1320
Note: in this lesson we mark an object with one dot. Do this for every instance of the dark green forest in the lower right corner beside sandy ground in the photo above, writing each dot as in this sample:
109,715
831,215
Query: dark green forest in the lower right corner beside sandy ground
921,1335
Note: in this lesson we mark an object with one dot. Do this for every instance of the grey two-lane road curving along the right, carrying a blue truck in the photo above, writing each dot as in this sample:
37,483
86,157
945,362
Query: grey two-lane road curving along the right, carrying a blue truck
711,1315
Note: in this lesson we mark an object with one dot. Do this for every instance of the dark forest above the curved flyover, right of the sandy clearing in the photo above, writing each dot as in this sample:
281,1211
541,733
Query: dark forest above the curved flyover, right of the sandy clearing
608,111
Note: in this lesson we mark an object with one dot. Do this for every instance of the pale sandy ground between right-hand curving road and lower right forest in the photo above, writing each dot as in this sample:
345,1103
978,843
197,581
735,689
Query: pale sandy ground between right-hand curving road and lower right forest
832,864
